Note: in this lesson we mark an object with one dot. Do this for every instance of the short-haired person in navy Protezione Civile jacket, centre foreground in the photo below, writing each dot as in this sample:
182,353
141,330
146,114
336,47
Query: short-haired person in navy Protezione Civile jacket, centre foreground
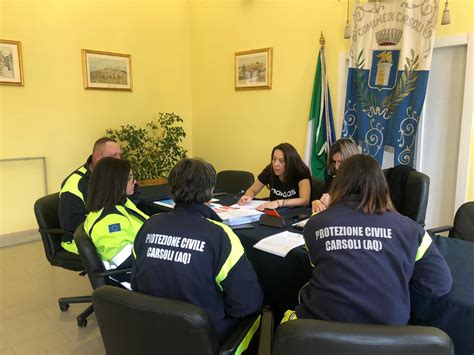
189,255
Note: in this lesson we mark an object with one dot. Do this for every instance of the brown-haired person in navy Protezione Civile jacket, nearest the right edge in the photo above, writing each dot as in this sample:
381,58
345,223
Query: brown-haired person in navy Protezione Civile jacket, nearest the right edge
366,256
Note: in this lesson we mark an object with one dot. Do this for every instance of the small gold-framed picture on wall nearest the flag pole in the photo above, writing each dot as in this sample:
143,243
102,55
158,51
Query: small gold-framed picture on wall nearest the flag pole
253,69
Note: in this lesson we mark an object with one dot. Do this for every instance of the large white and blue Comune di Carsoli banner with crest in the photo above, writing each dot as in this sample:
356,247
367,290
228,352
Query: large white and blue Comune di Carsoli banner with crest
390,57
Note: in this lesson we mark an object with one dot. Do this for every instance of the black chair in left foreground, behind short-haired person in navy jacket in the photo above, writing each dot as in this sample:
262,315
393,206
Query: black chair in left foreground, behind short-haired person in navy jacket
134,323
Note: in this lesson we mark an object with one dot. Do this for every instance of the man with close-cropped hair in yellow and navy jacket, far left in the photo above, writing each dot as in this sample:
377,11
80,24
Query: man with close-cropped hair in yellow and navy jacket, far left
73,193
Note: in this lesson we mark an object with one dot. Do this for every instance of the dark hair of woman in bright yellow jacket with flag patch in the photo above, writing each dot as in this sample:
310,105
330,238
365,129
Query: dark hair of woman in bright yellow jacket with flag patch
108,184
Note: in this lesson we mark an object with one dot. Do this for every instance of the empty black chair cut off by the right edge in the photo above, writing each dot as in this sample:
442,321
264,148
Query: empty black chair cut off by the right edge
463,225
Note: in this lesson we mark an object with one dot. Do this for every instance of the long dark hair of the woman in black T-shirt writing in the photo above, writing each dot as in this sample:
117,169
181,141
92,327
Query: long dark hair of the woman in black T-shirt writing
294,165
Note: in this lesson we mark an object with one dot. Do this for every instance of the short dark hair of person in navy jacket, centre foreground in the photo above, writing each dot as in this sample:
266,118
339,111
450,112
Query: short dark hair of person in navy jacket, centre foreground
192,180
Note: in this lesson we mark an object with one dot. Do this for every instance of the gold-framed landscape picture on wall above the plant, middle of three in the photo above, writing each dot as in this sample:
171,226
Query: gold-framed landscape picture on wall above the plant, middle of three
106,70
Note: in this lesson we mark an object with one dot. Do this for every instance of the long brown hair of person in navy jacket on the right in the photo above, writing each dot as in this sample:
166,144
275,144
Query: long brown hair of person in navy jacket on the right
360,180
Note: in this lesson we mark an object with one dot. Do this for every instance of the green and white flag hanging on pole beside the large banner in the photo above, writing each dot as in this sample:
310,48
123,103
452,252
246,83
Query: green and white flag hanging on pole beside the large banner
320,134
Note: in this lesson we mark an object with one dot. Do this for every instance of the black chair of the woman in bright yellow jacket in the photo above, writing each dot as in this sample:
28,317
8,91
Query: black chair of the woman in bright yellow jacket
98,275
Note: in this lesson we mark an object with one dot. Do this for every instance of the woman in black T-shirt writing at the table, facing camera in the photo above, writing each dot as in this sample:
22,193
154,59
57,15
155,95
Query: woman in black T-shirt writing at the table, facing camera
287,177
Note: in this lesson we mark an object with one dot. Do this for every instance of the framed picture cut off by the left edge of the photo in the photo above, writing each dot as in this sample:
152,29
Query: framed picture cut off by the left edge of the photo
11,71
